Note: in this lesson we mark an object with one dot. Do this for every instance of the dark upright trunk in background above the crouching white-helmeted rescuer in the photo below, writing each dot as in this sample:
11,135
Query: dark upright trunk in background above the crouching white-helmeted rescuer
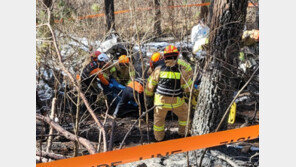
109,13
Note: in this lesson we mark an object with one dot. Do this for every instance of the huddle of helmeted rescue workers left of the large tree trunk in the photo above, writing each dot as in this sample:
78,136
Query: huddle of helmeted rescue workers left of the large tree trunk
165,84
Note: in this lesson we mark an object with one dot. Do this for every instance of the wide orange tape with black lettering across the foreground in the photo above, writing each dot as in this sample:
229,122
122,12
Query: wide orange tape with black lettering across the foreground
160,149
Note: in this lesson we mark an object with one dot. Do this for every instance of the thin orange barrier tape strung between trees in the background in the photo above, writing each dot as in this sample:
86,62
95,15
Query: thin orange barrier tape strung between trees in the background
140,9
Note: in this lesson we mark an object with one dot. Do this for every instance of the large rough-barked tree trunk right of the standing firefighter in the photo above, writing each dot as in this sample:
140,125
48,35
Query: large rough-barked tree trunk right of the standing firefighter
227,22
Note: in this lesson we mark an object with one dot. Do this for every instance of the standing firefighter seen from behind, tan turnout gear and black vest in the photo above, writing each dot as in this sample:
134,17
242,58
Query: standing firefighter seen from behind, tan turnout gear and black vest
169,81
